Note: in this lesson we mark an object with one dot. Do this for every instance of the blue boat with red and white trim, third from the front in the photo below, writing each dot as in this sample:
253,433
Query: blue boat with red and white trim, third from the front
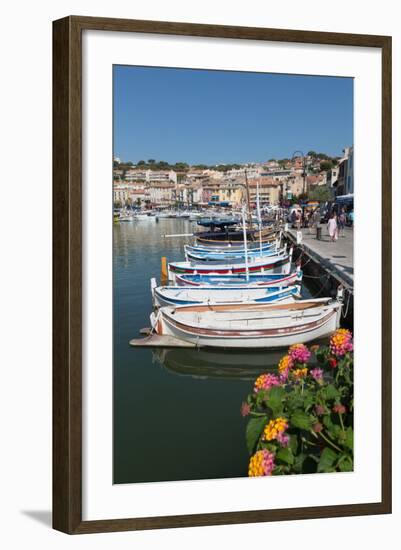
241,280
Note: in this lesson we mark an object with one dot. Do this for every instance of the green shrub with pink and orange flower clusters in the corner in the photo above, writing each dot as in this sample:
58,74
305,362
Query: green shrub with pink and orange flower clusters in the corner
301,419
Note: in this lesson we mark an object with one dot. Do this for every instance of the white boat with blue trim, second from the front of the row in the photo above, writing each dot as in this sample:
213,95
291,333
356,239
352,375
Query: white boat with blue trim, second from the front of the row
179,295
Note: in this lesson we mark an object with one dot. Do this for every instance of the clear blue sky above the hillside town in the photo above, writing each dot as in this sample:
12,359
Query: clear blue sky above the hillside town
212,117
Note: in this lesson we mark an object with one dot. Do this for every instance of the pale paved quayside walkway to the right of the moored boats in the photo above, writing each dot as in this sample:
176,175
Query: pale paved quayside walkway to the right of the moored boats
337,256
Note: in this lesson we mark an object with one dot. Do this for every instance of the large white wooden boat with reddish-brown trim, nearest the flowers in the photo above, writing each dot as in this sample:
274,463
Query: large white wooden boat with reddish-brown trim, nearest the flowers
249,325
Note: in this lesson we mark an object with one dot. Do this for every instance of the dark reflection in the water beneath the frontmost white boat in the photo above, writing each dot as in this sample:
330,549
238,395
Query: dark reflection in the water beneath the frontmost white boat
216,363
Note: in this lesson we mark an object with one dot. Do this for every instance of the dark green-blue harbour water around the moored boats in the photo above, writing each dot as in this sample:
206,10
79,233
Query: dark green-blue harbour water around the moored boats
176,411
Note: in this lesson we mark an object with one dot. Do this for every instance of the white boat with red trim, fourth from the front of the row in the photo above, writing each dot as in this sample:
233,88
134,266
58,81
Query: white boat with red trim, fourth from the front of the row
272,264
